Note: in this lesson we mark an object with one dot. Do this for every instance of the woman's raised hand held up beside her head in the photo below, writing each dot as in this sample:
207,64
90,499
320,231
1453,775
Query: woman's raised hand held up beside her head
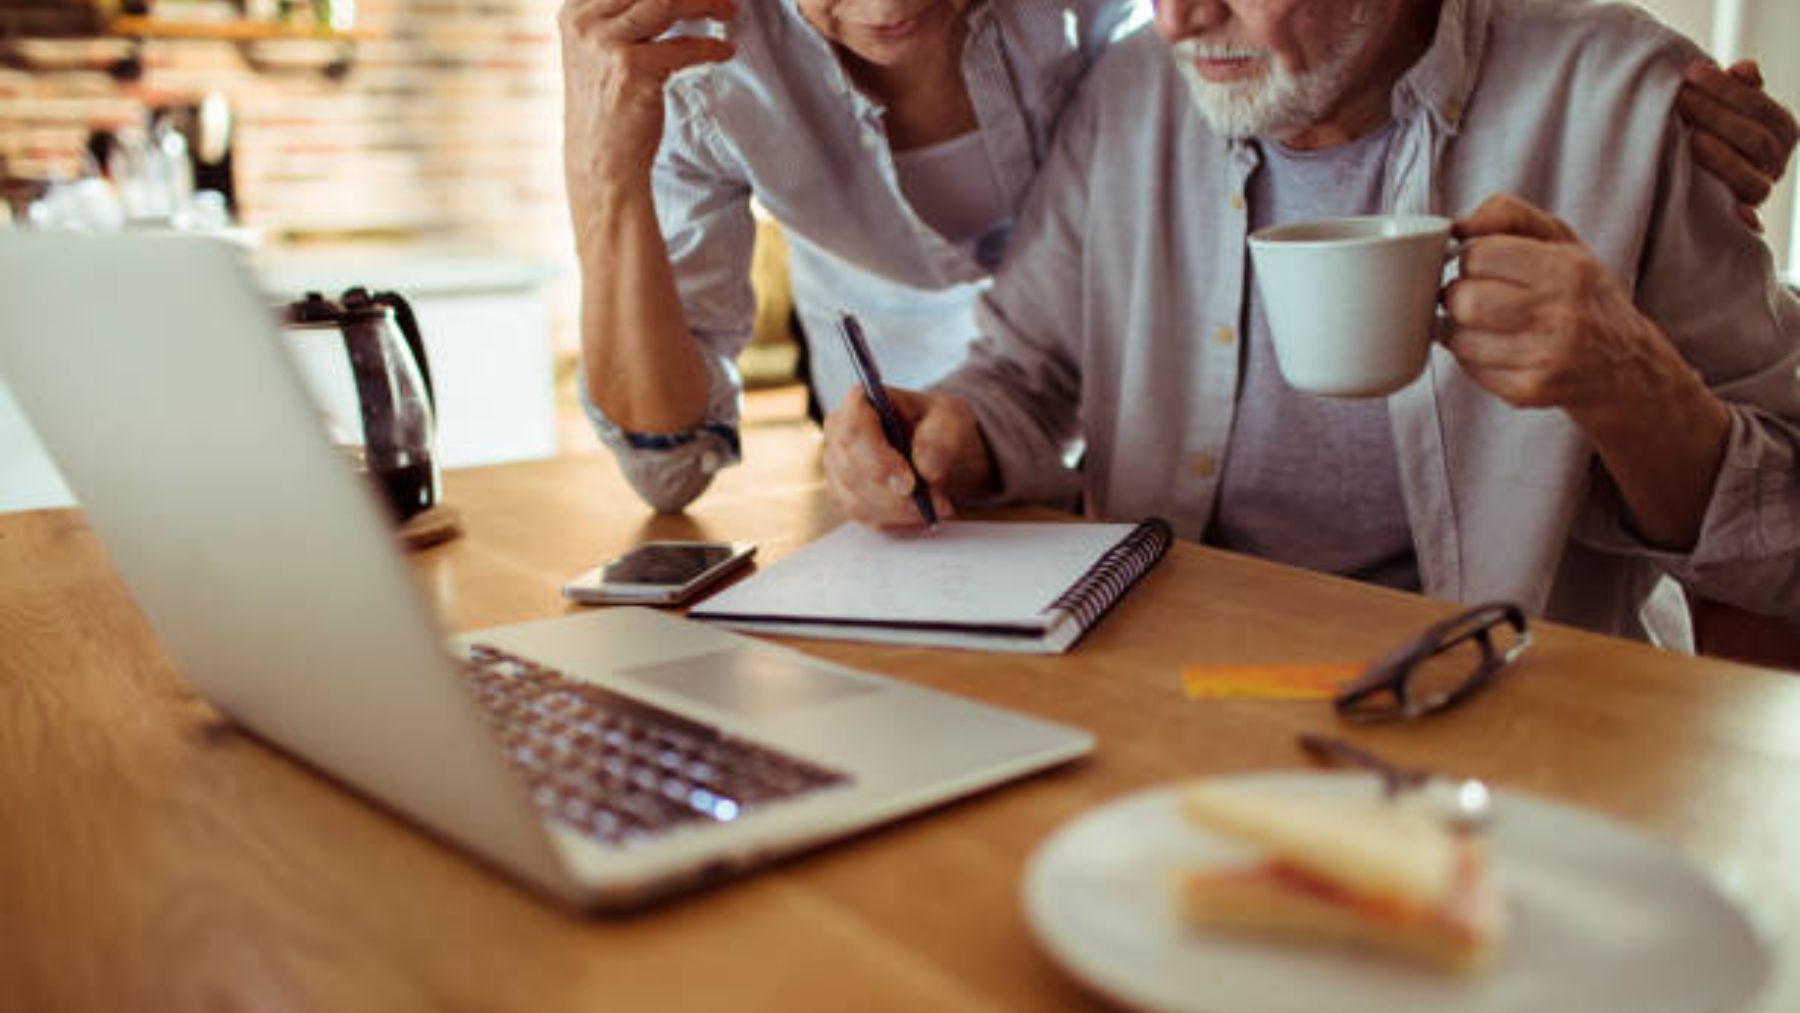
613,82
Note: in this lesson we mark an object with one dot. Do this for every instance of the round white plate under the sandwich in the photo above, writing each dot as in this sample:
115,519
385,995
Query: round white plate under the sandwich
1601,919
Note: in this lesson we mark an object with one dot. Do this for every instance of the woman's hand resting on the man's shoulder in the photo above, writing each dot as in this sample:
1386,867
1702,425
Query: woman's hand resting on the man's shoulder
1741,134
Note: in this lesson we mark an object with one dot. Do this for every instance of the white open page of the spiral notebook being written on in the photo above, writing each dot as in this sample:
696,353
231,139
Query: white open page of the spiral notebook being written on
966,571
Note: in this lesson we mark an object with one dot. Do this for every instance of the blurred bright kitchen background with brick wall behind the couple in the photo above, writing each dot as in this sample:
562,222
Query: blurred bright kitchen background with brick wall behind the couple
413,147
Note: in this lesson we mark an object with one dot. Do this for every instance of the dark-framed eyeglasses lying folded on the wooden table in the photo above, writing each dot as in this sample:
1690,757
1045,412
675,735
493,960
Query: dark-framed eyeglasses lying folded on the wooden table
1443,668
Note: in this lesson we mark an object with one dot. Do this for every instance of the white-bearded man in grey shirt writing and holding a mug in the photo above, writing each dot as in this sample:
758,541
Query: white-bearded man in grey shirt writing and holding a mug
1619,399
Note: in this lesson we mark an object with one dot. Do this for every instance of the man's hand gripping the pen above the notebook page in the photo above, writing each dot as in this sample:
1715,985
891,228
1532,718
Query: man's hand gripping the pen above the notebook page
874,485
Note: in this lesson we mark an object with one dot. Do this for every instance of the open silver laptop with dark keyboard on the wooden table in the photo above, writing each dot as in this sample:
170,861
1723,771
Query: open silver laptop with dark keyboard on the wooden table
606,758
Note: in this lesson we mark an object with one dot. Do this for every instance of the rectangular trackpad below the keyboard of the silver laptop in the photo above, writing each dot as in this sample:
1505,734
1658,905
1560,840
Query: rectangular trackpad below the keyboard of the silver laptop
748,681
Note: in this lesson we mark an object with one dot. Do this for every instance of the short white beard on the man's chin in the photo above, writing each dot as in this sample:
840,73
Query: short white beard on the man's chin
1277,103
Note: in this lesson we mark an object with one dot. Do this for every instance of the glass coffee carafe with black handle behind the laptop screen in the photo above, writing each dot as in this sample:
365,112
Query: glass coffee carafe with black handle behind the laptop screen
384,413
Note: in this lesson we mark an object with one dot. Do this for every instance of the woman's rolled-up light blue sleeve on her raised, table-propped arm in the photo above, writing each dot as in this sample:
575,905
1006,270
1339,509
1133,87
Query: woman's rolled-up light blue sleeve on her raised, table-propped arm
705,213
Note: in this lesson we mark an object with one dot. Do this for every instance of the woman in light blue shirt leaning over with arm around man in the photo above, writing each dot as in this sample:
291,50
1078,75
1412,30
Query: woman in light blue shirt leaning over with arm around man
894,141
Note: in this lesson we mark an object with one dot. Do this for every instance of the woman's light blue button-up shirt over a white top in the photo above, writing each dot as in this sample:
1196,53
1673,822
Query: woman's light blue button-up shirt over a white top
784,123
